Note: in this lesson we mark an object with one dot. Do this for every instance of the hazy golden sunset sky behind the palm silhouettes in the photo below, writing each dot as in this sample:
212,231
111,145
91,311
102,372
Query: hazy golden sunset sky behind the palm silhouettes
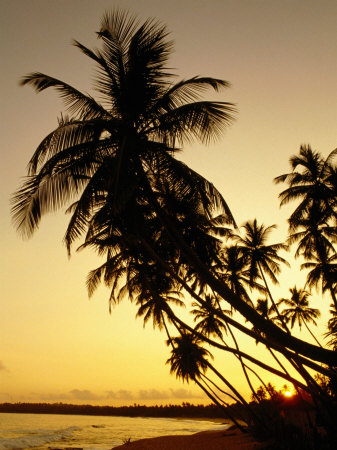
280,57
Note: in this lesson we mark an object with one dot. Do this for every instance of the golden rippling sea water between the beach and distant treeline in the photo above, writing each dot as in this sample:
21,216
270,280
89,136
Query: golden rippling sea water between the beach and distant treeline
54,431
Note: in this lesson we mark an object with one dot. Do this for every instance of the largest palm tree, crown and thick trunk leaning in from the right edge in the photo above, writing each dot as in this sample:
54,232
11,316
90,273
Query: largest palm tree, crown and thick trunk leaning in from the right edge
114,162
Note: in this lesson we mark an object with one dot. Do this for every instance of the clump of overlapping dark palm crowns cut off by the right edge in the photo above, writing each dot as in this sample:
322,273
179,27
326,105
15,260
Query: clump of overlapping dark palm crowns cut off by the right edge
313,223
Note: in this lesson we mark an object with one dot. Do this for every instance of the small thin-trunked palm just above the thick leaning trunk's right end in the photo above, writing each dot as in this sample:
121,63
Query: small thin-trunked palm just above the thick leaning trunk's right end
298,310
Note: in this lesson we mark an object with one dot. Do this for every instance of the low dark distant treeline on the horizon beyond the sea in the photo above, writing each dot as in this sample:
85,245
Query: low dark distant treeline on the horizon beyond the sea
184,410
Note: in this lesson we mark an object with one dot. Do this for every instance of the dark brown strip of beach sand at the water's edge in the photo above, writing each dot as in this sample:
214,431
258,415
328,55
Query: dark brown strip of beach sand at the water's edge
206,440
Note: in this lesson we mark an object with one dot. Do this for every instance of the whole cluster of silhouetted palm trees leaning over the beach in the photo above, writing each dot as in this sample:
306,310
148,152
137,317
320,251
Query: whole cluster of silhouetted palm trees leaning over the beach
164,232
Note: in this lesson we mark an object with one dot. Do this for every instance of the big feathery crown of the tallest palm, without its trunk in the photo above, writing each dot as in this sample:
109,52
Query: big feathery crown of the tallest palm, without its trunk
104,151
